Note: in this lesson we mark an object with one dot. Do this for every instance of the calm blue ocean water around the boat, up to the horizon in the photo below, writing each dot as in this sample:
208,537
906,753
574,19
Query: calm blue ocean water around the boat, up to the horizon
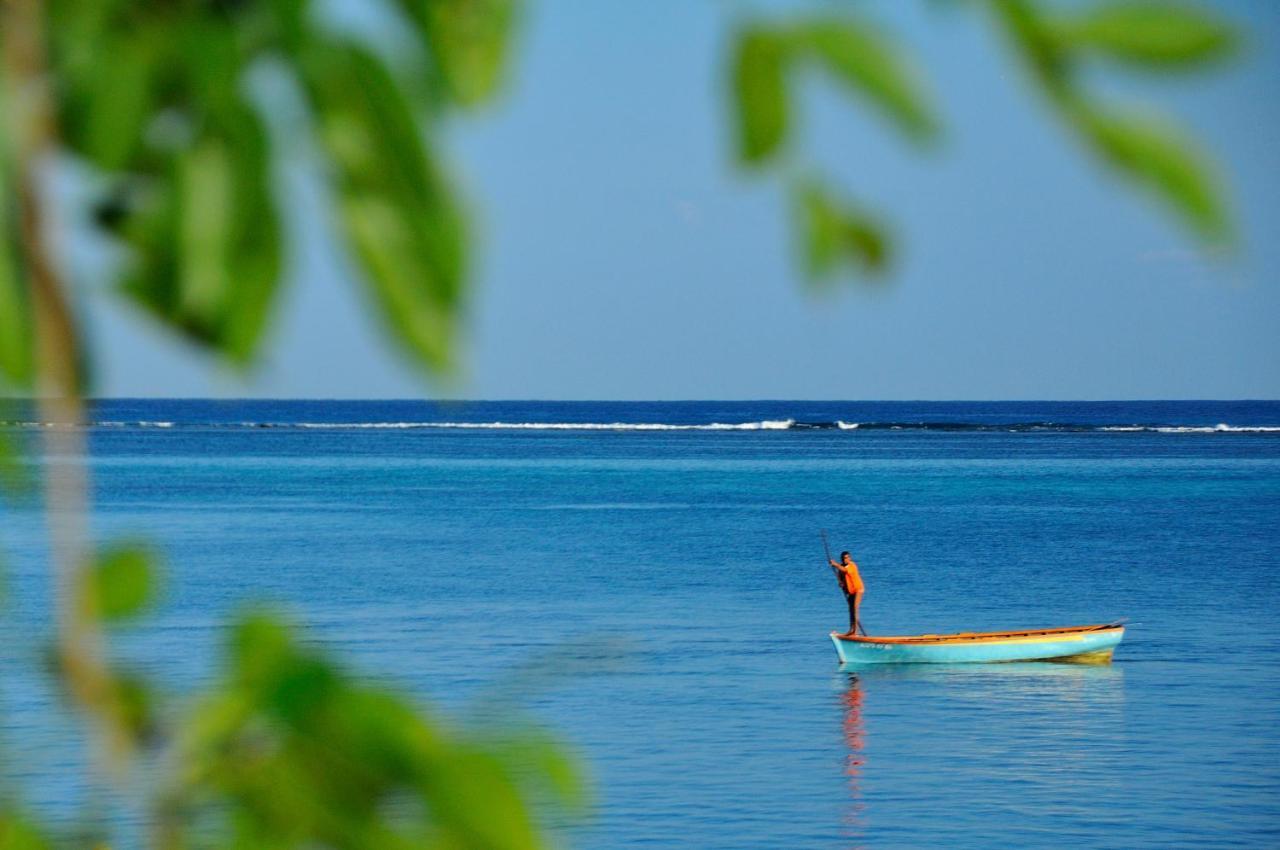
659,597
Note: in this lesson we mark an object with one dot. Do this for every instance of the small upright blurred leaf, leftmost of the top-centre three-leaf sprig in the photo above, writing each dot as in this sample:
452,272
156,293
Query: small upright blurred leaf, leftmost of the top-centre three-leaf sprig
761,93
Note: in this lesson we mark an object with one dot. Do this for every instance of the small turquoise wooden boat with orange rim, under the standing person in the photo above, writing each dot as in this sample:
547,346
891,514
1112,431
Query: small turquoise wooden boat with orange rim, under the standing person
1080,645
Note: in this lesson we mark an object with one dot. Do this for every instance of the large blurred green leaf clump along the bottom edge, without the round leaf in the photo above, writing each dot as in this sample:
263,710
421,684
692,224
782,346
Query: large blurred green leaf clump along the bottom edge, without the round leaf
289,751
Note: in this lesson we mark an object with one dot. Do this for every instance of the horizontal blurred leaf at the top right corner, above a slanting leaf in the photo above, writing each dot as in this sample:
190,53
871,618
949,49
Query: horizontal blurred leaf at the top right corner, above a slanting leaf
1150,33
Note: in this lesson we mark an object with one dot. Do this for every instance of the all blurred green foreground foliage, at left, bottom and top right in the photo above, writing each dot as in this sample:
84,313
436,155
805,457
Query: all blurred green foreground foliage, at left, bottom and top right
156,100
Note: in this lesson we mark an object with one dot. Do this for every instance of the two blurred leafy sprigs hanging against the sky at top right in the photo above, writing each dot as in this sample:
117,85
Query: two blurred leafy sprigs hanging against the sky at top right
1055,40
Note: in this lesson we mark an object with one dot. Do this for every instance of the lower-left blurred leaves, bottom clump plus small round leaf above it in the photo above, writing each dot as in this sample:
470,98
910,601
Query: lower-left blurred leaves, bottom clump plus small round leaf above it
290,751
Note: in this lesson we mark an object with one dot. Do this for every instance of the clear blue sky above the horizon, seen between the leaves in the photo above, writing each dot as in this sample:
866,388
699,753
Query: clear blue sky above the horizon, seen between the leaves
621,255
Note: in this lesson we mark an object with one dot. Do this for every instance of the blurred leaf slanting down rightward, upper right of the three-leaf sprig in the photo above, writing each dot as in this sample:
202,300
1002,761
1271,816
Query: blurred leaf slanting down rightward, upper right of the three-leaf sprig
863,60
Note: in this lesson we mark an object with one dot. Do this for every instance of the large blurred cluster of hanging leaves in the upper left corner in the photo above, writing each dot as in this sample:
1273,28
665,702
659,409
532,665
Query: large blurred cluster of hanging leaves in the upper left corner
154,95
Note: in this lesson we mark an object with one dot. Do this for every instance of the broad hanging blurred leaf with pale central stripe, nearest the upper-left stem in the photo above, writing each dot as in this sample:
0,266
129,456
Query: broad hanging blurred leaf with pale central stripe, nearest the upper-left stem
207,237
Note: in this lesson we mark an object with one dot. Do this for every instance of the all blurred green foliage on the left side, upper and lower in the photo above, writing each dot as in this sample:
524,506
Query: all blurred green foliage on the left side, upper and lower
156,100
